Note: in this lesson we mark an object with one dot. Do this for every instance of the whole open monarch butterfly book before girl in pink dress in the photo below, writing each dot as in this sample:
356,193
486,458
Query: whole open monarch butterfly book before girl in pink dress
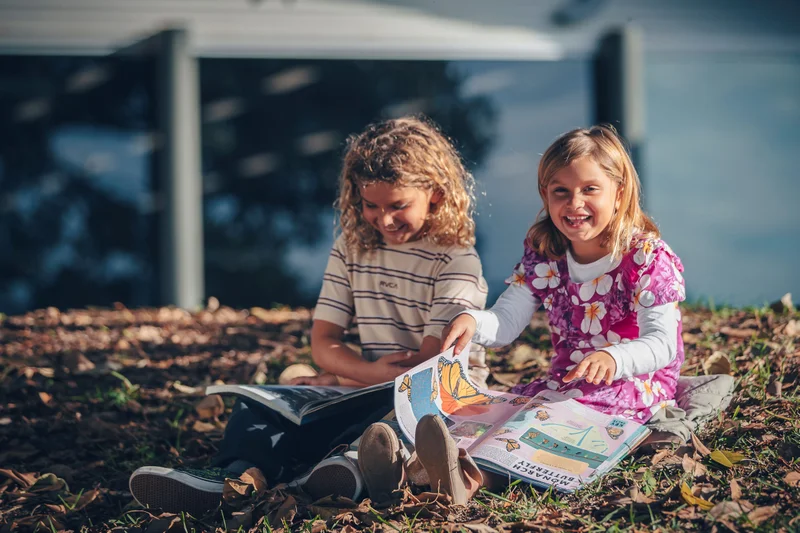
546,440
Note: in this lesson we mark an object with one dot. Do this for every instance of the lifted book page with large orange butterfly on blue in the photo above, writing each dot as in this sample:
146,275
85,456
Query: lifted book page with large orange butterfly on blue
441,386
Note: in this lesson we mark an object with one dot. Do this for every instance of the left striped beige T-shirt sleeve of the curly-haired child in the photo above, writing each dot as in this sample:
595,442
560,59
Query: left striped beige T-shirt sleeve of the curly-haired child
335,302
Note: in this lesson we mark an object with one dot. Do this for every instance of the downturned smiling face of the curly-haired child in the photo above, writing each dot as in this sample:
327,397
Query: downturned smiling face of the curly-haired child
398,213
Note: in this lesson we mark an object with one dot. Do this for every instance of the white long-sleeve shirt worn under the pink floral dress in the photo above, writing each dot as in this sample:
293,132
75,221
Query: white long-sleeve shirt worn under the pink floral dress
654,349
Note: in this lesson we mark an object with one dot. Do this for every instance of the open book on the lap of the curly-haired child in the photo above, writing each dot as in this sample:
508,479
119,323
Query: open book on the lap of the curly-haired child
302,403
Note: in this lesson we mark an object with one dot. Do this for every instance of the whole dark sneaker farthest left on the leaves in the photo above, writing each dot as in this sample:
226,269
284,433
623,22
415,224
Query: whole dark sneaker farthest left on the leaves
195,491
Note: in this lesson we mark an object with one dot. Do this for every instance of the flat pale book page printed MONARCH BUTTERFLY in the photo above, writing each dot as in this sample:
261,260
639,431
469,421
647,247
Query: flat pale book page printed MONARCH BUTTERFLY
556,441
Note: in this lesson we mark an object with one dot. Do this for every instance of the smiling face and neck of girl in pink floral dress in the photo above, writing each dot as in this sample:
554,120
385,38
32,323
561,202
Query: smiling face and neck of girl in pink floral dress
581,200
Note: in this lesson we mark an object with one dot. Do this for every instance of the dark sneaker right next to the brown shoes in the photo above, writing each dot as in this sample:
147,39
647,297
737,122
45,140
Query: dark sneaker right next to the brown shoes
334,476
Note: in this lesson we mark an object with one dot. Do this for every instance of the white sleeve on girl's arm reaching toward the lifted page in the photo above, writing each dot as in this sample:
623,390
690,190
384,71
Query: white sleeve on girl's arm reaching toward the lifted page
504,321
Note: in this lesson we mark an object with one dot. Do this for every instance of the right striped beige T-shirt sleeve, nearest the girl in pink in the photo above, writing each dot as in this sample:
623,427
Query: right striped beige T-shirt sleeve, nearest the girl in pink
458,286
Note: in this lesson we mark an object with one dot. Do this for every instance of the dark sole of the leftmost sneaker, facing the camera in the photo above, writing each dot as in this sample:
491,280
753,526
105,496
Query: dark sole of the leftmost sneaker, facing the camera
173,495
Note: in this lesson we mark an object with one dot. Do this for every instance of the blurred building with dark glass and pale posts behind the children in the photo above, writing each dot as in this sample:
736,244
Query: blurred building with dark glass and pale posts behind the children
161,151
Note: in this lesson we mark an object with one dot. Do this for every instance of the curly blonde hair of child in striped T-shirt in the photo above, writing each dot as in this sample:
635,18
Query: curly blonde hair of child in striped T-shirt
406,152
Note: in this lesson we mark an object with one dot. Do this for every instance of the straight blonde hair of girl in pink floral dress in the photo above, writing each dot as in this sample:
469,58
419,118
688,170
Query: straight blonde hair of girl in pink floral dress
605,147
